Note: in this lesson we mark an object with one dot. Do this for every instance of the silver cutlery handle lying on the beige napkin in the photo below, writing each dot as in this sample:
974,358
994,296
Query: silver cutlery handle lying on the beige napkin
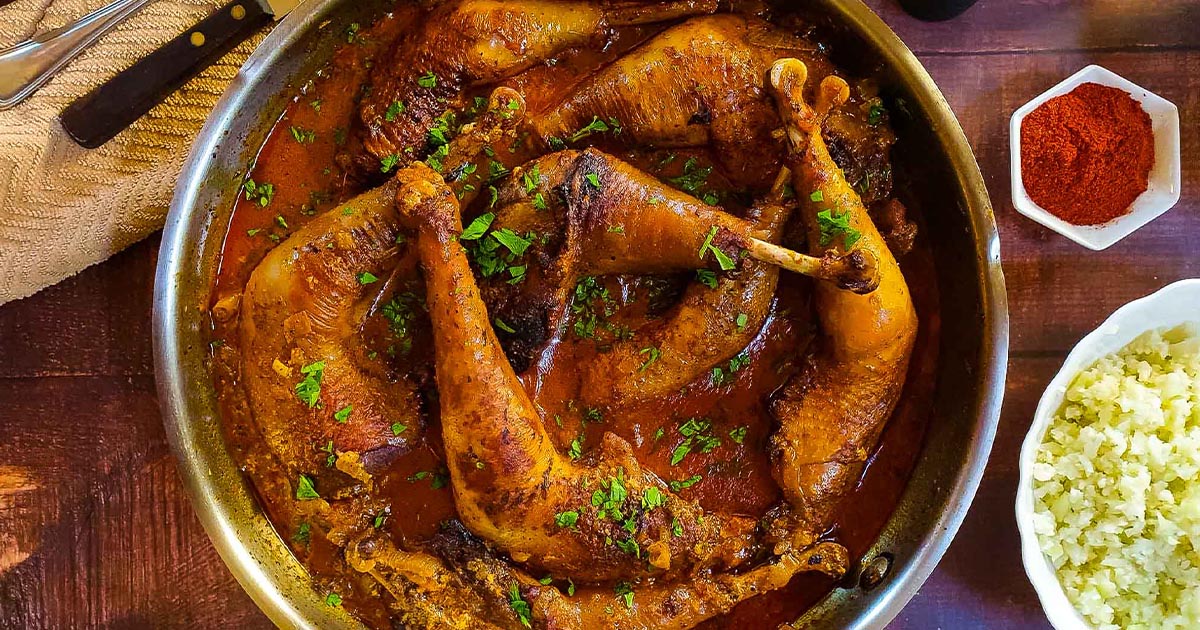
31,64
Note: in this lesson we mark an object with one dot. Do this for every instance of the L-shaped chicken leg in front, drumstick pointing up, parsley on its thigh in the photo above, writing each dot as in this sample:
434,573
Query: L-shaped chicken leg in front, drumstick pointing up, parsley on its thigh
607,519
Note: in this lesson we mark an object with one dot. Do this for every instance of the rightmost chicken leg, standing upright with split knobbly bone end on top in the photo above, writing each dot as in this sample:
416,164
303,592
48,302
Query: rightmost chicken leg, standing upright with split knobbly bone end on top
831,415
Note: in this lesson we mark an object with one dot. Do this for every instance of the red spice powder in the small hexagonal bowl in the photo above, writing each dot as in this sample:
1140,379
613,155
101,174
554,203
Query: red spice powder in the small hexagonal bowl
1087,155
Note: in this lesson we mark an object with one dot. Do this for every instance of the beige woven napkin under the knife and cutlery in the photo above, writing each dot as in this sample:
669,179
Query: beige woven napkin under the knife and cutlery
64,208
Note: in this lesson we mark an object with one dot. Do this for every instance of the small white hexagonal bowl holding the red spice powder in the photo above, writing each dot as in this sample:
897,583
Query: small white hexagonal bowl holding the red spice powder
1165,184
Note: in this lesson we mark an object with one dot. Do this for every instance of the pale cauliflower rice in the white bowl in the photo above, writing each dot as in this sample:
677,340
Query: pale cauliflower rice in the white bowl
1117,494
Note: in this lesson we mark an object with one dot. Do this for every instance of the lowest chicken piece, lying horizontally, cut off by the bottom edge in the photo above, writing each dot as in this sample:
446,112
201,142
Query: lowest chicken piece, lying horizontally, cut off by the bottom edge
485,592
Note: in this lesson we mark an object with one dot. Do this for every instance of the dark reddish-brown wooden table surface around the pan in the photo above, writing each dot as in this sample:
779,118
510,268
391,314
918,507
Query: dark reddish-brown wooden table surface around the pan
95,530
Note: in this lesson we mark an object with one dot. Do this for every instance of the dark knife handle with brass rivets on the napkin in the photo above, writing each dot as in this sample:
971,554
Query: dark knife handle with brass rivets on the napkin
103,113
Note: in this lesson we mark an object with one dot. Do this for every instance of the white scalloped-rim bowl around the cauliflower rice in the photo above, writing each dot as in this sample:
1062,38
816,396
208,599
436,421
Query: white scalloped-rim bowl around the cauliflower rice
1173,305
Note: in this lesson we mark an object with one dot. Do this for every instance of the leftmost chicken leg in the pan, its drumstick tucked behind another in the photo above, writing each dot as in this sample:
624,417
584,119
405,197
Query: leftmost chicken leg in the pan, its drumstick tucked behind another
311,389
